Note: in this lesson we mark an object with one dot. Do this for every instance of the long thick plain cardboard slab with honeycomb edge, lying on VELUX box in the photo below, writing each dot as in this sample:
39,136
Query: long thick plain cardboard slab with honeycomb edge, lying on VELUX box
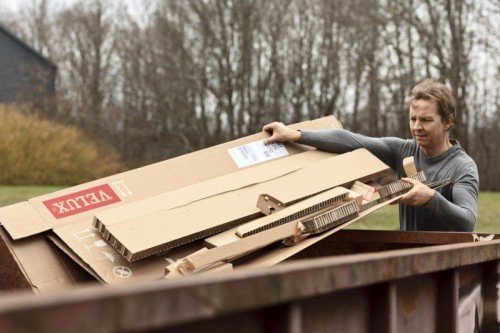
155,231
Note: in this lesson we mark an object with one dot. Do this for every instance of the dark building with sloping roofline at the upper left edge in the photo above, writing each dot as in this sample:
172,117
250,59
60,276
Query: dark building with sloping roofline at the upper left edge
25,75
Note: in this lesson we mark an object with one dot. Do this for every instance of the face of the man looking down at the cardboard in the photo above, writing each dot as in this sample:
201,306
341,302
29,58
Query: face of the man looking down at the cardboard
427,127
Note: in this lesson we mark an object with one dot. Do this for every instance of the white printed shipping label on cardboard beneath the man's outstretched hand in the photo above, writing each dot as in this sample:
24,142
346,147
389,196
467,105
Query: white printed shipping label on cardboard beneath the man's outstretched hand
257,152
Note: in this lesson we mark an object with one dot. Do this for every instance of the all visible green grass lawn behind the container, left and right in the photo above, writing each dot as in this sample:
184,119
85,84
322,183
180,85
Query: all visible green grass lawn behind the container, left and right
383,219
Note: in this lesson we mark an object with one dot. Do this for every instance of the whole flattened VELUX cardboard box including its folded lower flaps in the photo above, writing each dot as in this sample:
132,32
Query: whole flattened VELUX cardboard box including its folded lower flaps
26,222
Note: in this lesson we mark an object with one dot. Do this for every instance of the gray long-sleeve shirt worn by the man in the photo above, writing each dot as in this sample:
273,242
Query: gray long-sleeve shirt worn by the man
452,208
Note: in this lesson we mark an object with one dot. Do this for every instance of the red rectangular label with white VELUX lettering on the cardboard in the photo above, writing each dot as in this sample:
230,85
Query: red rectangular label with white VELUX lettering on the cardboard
82,201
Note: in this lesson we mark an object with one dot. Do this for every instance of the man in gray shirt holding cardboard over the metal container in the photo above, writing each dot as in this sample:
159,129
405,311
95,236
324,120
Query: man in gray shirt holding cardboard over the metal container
432,110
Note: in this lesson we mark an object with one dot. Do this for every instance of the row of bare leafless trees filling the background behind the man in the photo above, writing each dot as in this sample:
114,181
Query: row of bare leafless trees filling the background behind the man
171,77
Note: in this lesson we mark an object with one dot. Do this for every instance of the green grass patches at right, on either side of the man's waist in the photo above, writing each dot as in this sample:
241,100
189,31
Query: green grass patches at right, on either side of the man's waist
387,218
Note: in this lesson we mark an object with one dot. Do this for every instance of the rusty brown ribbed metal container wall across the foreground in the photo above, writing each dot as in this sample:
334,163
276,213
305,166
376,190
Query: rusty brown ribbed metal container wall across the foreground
427,288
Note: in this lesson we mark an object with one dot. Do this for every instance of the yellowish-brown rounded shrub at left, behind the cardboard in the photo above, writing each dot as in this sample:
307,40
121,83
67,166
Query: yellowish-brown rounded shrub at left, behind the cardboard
35,151
